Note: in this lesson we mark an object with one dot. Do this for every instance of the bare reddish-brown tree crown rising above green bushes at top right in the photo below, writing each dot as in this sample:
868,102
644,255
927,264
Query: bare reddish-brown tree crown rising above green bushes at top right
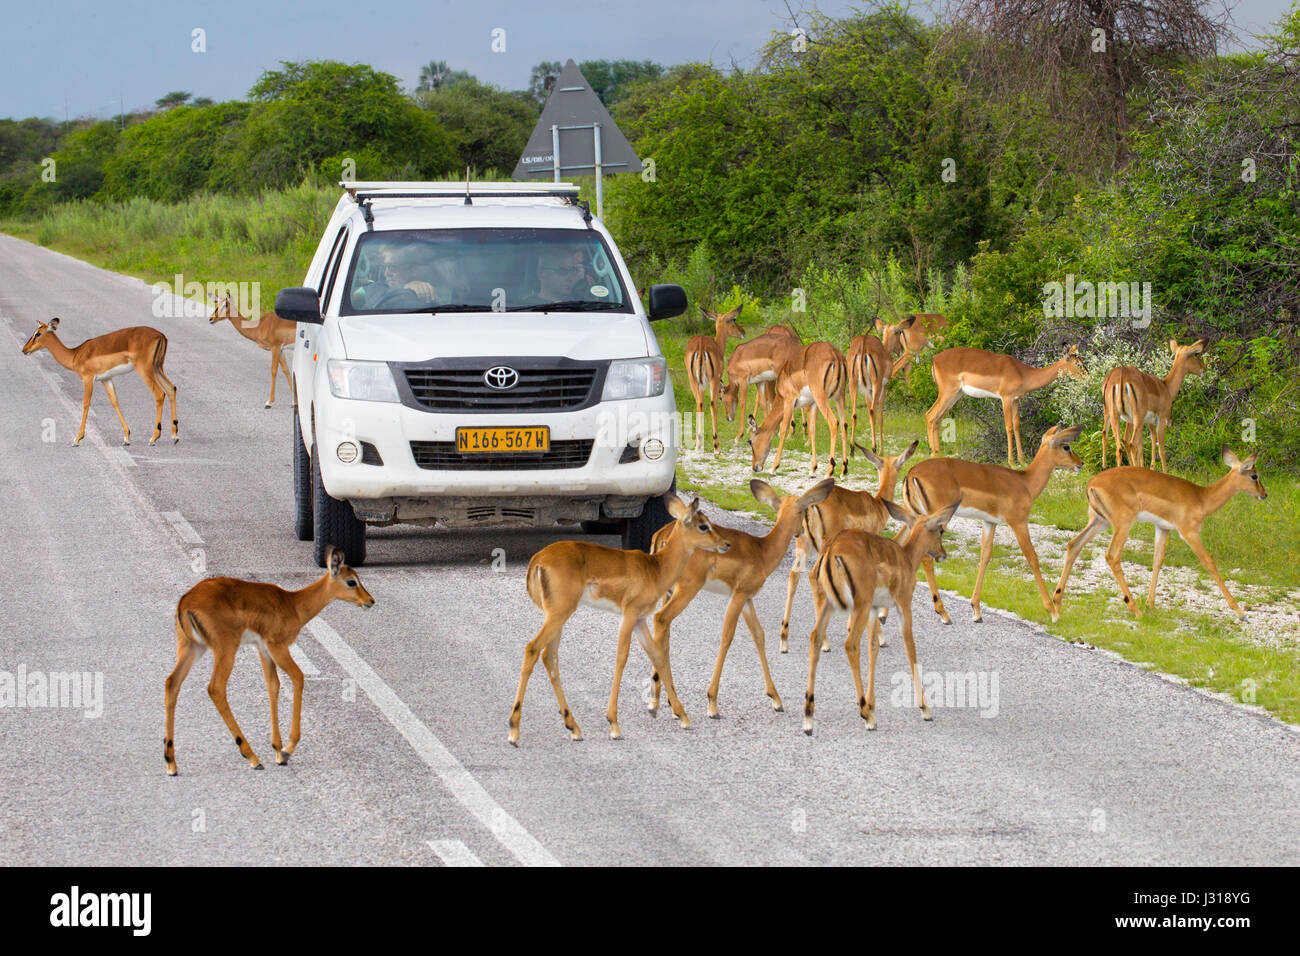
1084,58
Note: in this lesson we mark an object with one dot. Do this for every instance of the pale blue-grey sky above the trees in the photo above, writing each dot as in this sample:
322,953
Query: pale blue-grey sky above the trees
93,58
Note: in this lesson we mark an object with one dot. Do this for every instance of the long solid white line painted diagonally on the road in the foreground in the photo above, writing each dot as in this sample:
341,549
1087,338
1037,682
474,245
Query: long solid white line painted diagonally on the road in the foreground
461,782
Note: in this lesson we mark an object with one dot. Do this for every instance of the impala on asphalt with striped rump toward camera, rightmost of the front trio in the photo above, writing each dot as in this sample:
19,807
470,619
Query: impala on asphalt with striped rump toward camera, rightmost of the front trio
864,574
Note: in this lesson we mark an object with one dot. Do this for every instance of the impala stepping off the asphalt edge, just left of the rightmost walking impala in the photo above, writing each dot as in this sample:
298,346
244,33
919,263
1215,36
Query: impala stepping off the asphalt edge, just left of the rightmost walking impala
995,496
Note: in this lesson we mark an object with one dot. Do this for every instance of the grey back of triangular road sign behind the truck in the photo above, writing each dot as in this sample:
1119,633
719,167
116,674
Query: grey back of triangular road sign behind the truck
574,105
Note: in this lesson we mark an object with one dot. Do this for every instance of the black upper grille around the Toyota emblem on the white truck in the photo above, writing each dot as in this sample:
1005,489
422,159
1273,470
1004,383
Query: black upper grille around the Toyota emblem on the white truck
538,390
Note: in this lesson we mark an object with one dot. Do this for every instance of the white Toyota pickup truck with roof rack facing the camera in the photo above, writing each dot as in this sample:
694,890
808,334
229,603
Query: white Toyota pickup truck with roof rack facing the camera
476,356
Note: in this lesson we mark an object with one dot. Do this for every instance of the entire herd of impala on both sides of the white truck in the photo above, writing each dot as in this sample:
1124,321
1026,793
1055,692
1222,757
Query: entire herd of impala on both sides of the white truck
857,572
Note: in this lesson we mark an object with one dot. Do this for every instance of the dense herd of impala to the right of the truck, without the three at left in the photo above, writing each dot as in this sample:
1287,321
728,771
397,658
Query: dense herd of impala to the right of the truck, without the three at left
859,572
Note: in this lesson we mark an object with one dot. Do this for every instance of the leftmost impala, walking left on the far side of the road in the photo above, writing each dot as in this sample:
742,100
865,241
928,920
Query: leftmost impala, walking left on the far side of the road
106,357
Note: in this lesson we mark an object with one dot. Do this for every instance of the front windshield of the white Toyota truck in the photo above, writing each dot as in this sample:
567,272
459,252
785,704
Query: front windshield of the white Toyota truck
483,271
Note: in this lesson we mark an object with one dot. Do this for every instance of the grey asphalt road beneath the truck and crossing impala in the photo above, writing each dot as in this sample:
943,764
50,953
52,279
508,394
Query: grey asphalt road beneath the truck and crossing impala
1078,759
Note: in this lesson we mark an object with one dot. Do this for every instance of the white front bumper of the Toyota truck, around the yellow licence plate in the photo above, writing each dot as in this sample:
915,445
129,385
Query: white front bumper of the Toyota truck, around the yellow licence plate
604,462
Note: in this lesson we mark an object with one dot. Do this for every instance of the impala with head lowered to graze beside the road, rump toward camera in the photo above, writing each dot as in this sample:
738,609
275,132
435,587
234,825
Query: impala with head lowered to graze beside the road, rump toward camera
812,379
